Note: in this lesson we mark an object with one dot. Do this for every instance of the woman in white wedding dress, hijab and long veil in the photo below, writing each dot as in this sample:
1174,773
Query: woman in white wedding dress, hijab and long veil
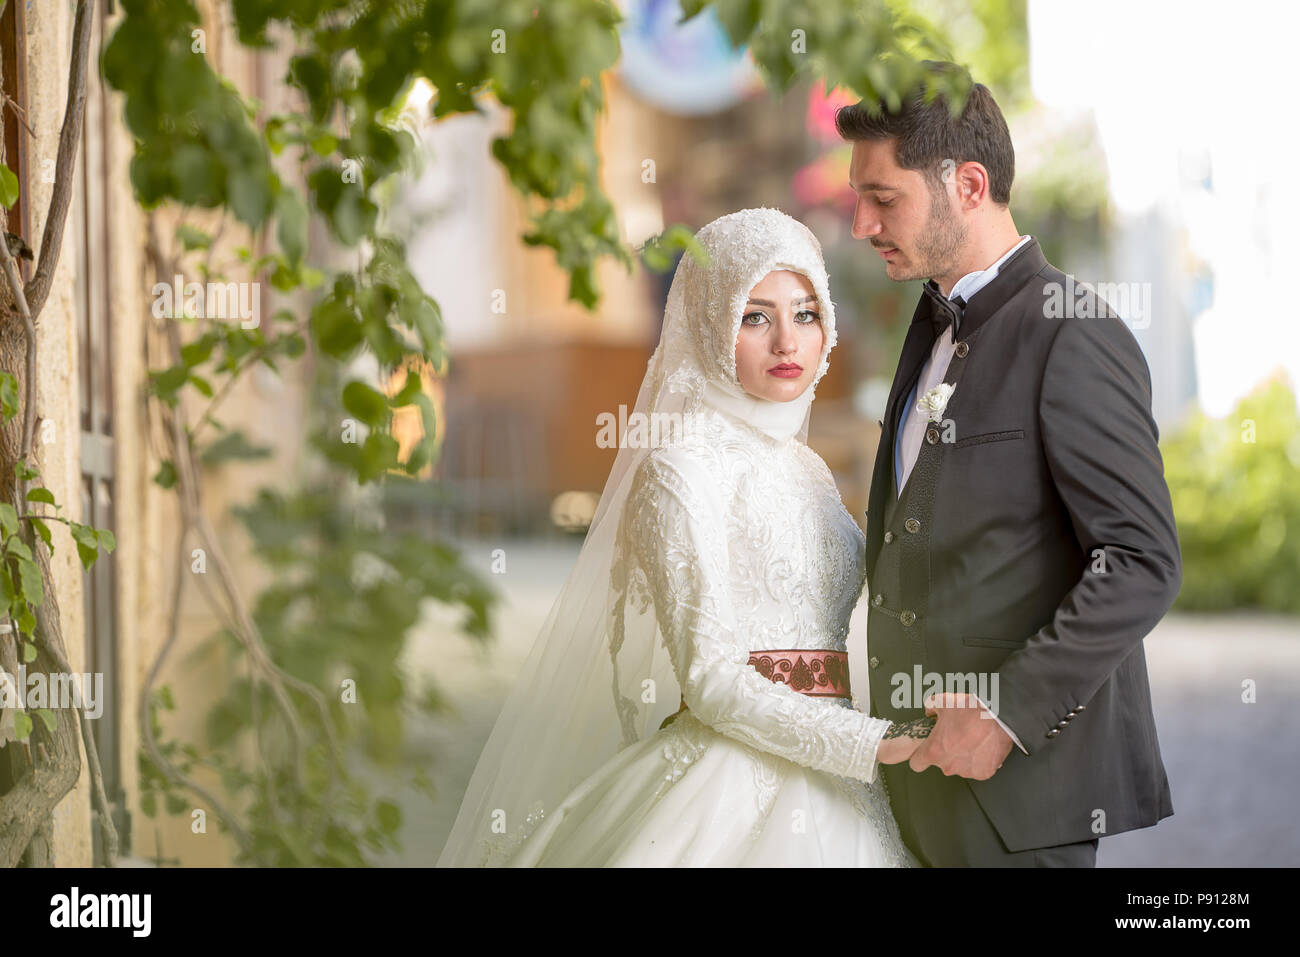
688,700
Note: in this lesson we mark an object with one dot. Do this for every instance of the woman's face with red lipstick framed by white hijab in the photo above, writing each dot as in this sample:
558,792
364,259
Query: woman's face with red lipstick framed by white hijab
779,345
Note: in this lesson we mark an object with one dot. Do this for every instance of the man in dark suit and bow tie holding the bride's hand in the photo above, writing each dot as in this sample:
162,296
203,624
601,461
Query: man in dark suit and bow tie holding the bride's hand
1021,540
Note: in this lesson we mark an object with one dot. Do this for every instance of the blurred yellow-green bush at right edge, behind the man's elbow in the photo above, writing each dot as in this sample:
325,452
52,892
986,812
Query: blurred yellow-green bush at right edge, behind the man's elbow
1236,486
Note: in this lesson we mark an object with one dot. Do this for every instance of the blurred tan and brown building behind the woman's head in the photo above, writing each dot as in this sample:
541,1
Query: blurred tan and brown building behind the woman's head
690,136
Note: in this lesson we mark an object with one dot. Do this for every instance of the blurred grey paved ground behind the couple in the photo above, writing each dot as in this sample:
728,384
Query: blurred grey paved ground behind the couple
1234,768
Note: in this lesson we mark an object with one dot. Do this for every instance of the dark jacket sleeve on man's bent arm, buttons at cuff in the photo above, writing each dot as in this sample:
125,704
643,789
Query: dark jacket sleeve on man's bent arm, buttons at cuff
1100,443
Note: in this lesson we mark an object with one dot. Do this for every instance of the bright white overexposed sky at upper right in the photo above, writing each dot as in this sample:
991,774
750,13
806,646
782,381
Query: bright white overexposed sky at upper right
1197,106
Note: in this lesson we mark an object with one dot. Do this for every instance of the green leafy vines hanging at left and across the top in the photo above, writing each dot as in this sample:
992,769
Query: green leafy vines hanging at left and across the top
343,595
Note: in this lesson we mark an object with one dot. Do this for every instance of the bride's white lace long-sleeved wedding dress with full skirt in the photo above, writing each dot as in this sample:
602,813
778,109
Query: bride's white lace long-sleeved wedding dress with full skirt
746,547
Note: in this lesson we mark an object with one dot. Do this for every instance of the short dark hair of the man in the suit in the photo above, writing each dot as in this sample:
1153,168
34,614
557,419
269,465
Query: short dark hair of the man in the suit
928,133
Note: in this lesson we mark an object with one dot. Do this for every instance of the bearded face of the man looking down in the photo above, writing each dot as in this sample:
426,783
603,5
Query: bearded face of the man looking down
912,226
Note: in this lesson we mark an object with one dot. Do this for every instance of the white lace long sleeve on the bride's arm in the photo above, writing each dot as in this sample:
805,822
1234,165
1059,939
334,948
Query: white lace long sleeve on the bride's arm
679,539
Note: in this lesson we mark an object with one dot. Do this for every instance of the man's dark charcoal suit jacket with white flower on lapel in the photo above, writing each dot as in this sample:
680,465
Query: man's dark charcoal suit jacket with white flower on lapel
1052,551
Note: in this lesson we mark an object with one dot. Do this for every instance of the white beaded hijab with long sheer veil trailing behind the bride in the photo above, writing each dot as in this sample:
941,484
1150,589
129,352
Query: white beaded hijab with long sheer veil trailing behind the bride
579,698
